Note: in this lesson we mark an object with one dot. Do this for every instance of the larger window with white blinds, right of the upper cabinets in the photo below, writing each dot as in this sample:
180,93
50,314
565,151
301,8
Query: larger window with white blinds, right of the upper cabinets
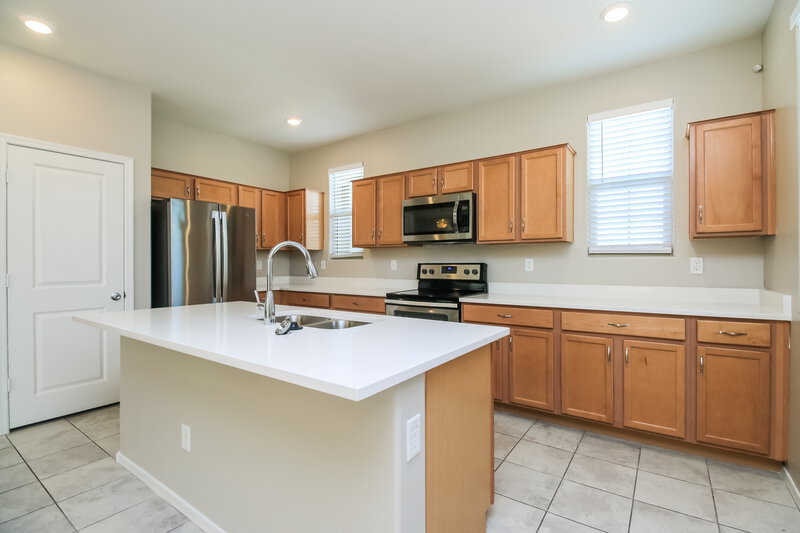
630,180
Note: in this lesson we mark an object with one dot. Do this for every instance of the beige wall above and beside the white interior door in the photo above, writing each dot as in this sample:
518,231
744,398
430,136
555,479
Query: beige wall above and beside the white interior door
52,101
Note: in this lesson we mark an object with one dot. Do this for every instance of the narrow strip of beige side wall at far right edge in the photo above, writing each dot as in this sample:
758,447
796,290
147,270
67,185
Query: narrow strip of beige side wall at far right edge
781,258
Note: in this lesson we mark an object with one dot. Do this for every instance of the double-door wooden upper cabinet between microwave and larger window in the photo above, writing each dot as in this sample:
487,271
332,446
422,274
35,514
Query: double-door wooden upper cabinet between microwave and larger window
527,197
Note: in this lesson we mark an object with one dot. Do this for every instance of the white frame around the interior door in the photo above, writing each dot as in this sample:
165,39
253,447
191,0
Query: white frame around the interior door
127,166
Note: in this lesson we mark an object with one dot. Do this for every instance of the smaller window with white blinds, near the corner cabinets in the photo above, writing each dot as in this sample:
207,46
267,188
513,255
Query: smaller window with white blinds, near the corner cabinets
341,194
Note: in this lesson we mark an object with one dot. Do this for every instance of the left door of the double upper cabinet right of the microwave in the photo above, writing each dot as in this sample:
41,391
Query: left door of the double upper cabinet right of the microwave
497,199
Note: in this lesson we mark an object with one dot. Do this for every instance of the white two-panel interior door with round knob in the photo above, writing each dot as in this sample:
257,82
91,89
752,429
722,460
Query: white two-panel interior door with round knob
65,246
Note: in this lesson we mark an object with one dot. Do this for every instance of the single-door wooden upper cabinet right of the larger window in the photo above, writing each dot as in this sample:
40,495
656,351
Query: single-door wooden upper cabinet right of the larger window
732,176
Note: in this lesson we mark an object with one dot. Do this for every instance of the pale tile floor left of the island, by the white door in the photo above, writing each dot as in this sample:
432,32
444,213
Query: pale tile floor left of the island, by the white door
60,476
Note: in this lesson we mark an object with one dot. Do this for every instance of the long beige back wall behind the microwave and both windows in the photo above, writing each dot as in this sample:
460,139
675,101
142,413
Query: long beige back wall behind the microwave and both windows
705,84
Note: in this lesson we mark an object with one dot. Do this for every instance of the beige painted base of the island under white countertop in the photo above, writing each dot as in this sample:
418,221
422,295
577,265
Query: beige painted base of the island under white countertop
267,455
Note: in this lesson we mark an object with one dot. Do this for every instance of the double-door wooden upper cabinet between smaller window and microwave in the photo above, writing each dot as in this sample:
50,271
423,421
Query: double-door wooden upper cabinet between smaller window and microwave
378,211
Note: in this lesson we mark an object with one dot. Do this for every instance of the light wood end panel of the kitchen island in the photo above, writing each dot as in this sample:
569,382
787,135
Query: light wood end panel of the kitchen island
459,438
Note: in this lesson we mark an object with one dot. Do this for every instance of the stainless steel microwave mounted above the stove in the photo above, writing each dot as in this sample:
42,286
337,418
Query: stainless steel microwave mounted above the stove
438,219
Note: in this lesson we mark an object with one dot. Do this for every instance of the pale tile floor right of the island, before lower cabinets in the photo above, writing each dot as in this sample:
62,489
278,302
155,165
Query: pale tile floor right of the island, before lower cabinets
555,479
